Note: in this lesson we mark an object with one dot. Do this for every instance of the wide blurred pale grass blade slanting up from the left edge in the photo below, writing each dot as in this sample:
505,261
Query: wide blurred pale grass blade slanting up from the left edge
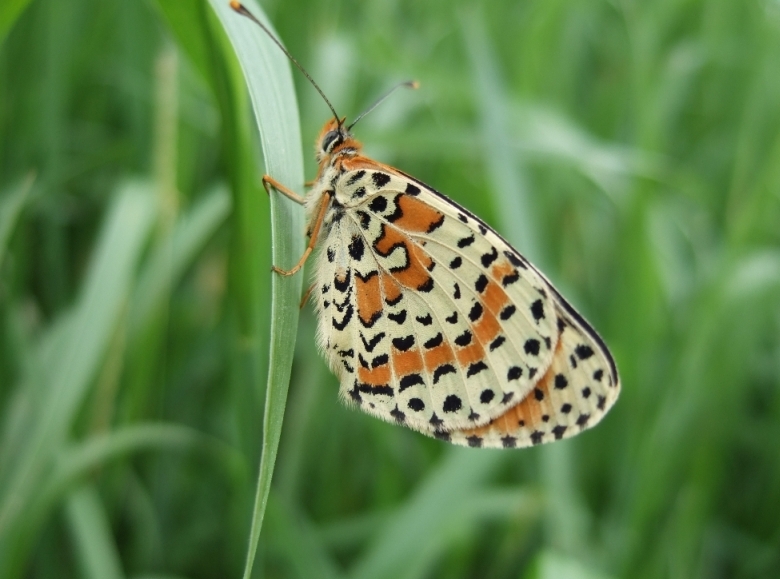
68,359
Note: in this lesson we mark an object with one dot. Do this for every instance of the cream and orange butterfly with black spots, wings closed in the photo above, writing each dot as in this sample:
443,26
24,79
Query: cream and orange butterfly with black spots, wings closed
430,319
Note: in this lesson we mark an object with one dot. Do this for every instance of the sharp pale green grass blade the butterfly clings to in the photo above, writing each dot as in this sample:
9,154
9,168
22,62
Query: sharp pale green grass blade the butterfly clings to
272,93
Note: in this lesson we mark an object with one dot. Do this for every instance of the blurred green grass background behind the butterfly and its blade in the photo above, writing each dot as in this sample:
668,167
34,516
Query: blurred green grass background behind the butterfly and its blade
631,149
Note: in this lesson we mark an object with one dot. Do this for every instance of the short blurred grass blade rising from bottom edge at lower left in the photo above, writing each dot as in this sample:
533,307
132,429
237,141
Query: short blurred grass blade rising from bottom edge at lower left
94,544
